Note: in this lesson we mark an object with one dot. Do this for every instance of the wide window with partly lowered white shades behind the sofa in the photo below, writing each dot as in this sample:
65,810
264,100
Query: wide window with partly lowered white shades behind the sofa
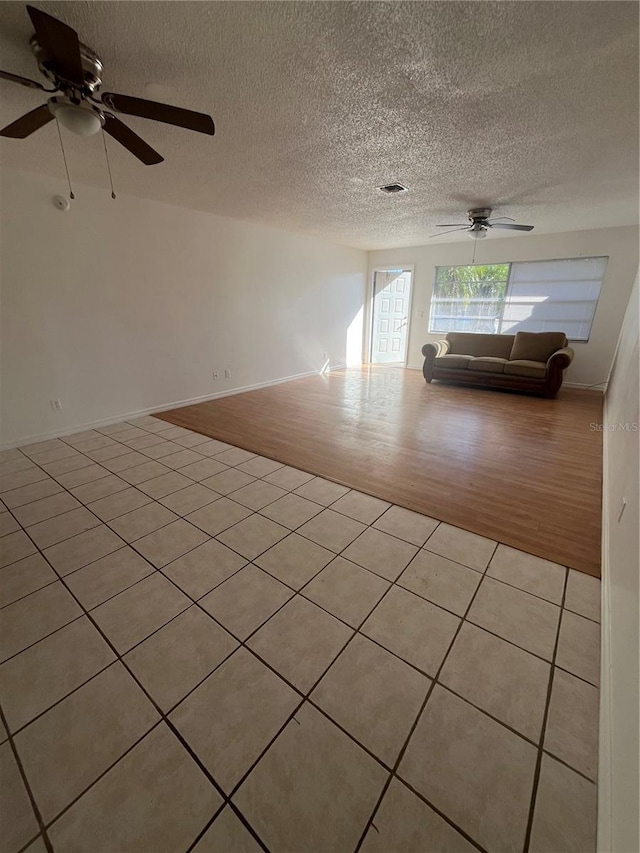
531,296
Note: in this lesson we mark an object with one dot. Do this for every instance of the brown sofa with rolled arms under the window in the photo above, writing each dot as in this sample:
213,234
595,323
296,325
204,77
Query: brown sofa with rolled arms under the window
533,362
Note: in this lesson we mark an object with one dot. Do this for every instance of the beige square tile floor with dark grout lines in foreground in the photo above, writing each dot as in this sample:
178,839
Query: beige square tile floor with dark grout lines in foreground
204,650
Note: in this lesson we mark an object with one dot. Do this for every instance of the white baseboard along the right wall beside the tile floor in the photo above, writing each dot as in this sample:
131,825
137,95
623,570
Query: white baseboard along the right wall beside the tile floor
605,750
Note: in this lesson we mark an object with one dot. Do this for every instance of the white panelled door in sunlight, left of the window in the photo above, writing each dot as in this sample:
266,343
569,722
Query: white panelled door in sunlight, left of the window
391,305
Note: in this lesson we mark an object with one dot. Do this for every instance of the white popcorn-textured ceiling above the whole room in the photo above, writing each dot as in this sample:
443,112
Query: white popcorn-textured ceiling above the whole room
530,107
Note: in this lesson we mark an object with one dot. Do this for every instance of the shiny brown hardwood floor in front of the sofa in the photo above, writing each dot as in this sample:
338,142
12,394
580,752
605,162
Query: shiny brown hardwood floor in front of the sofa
521,470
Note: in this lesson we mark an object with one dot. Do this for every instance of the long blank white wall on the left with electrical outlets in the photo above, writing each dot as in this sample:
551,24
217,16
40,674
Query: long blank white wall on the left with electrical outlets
120,306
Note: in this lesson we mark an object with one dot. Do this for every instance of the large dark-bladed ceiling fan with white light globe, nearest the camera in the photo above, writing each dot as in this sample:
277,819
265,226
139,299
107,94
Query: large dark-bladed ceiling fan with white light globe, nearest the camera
75,72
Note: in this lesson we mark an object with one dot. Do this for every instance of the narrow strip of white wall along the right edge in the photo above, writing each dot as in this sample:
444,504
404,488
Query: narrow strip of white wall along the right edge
620,706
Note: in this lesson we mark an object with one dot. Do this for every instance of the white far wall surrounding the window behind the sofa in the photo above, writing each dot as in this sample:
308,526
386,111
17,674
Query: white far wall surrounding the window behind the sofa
593,359
